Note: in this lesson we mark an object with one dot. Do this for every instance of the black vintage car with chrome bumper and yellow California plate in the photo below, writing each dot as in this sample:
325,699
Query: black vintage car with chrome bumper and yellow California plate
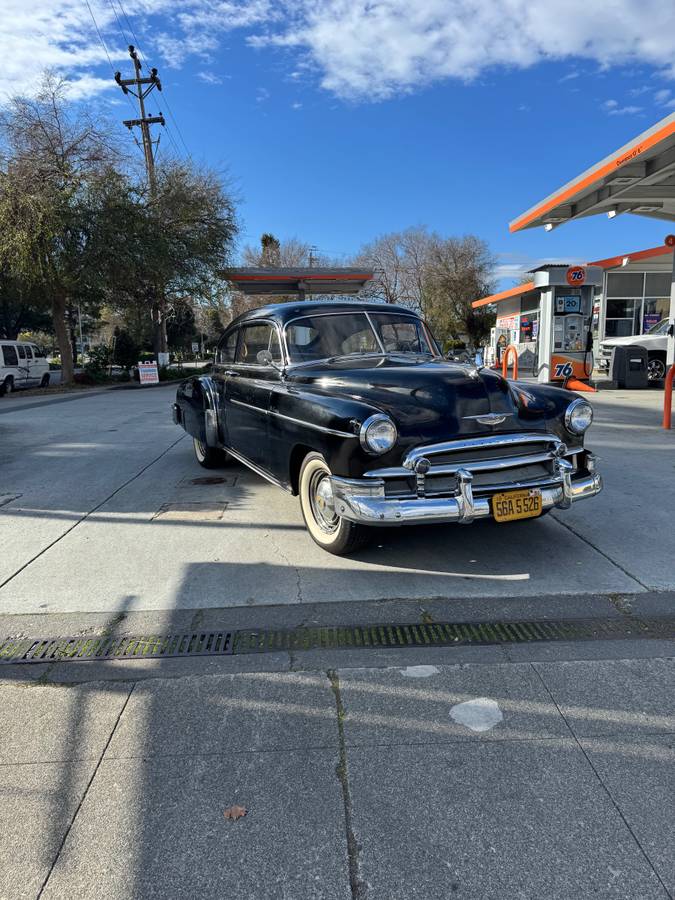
352,407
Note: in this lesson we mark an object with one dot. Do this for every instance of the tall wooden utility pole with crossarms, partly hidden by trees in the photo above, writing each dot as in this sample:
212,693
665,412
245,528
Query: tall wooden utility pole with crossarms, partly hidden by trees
139,87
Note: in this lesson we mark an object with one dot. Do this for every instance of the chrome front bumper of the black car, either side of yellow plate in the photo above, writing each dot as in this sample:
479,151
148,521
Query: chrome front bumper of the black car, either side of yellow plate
363,501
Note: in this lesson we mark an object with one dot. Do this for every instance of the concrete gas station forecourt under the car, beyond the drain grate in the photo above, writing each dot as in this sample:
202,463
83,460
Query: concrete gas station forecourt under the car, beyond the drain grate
102,510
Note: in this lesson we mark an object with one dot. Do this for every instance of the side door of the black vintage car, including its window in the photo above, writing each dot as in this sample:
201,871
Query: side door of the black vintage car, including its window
248,384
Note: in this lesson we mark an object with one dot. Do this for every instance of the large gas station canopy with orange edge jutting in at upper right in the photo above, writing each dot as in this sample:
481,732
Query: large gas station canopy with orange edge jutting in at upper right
639,178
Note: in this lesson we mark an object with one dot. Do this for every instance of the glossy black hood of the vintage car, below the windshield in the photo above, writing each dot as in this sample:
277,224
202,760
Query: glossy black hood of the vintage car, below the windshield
433,398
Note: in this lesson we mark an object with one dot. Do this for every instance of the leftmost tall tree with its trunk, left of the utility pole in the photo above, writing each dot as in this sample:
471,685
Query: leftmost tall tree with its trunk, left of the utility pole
53,158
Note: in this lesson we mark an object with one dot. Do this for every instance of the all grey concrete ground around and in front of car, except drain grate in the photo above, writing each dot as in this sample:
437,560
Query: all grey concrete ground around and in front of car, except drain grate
515,771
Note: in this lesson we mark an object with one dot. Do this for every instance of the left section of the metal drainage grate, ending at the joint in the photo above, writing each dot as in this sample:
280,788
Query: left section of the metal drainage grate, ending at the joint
47,650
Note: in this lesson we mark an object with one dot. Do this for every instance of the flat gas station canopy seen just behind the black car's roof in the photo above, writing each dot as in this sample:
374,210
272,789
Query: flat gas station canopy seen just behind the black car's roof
297,281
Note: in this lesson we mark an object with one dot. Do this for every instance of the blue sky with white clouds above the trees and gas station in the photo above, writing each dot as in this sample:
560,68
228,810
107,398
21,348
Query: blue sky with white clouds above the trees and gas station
339,120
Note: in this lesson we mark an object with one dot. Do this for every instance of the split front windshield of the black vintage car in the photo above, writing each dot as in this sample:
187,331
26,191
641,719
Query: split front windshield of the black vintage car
346,334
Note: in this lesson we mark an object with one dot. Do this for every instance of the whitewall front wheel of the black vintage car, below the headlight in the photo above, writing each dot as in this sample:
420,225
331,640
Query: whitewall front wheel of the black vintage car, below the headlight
329,530
